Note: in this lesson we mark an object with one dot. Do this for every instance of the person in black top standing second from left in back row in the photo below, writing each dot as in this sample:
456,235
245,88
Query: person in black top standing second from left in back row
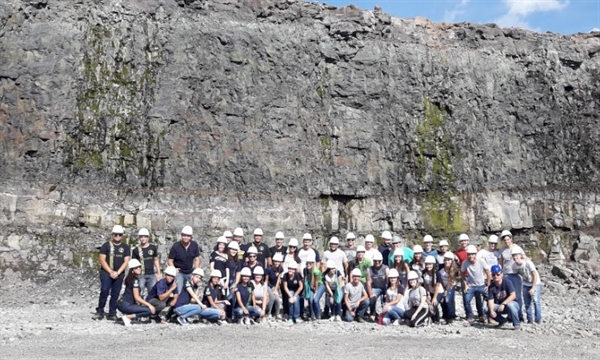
147,255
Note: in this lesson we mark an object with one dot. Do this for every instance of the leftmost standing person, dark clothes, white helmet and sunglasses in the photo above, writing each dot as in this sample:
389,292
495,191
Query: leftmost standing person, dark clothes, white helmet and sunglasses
114,258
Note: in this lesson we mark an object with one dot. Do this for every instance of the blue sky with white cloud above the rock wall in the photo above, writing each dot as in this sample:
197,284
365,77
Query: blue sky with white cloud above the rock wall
559,16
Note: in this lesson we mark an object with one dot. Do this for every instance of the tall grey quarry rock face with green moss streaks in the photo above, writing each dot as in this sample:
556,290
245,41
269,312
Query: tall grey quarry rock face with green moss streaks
290,116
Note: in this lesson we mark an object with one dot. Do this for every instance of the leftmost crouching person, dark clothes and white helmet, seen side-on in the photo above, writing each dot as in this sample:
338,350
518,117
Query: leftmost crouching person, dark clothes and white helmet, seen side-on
131,303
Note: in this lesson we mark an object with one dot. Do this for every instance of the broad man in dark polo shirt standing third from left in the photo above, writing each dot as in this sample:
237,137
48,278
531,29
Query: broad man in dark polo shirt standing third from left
185,257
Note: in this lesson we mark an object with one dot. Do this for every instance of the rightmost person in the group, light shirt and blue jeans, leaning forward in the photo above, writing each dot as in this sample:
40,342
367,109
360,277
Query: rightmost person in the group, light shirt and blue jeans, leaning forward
532,285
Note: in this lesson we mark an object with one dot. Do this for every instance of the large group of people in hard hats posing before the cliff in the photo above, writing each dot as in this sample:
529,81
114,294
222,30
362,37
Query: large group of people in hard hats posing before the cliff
252,282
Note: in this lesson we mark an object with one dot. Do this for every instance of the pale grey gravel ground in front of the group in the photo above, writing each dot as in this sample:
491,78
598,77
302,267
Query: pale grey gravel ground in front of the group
54,321
